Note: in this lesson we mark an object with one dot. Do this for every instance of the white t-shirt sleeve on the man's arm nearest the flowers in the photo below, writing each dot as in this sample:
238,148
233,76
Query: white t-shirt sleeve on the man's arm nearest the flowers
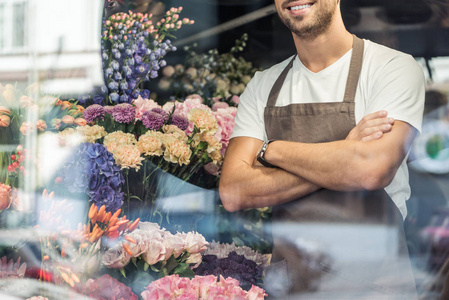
249,120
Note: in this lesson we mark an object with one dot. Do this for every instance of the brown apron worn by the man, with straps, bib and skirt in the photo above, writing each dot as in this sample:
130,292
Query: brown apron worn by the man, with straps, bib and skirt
334,245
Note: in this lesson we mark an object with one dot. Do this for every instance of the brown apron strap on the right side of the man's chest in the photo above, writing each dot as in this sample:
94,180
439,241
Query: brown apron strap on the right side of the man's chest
355,68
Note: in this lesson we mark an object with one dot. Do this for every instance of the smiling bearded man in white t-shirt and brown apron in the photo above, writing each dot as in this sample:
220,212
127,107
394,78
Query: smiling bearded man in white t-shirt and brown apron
296,147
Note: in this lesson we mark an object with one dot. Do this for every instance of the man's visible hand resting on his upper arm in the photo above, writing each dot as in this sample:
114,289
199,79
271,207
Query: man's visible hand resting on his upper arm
371,127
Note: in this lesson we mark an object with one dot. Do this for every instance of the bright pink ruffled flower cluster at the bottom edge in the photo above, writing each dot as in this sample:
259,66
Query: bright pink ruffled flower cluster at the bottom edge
199,288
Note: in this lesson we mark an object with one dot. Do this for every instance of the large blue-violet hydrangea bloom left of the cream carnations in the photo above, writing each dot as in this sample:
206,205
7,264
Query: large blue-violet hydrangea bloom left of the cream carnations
92,170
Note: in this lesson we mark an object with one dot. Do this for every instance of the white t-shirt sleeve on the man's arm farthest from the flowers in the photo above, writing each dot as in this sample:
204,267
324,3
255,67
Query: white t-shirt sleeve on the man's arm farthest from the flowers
399,88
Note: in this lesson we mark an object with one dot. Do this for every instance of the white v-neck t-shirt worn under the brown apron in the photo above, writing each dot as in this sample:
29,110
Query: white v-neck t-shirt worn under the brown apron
390,80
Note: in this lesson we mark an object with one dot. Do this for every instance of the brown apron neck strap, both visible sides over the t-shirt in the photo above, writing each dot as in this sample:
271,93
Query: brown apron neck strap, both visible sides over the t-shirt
351,83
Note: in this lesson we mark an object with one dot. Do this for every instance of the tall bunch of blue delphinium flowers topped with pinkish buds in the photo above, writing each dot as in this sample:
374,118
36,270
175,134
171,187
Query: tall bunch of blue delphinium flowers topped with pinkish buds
133,48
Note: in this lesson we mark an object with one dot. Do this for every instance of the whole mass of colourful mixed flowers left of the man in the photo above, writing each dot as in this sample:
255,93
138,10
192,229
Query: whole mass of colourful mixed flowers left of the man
117,152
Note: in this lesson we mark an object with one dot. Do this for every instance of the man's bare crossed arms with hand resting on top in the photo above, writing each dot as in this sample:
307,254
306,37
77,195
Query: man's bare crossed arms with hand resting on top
367,159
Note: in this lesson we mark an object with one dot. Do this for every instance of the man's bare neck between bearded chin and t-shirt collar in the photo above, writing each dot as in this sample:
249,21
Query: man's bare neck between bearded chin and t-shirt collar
320,52
